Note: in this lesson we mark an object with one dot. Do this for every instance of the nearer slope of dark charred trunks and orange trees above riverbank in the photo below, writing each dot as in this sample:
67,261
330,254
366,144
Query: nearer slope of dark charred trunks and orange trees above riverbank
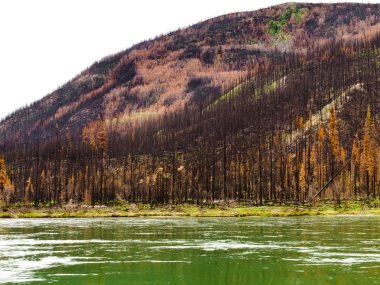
298,128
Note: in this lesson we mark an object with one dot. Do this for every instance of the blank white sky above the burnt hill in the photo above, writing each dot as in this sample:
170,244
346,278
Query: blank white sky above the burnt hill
45,43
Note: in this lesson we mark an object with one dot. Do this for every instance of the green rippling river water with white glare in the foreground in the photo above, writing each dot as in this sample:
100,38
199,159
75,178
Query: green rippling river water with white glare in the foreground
302,250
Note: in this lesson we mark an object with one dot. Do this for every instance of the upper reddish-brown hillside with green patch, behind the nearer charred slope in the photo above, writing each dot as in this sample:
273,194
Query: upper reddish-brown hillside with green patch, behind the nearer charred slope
179,69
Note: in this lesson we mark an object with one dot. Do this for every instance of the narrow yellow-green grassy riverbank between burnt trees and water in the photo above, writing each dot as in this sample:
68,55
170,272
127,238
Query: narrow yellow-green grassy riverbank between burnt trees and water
187,210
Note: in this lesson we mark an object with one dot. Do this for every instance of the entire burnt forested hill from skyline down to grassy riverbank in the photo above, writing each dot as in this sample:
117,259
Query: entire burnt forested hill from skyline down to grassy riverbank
275,106
